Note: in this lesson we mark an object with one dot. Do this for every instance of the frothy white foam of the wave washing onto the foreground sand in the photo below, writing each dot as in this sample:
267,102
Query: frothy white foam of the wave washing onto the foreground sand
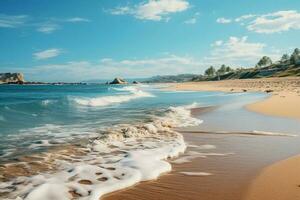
118,158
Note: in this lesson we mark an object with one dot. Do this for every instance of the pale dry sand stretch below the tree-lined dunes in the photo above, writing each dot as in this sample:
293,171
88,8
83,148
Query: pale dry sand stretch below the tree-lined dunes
284,101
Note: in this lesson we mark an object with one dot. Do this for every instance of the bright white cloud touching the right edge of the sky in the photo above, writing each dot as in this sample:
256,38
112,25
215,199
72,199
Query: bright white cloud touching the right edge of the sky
276,22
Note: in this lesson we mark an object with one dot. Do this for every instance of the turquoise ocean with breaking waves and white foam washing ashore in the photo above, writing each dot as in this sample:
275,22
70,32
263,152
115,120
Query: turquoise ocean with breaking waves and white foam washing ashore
85,141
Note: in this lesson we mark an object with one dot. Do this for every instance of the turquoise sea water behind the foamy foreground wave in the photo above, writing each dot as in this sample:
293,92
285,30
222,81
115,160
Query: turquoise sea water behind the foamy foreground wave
36,117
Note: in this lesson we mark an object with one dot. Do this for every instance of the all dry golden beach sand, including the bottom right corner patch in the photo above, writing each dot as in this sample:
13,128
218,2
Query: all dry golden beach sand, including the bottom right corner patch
280,180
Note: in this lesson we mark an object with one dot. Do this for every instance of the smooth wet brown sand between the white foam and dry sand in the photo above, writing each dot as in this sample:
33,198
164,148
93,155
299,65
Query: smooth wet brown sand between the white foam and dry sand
231,173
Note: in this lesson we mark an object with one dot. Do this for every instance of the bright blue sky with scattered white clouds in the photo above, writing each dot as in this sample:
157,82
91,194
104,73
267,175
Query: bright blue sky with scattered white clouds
64,40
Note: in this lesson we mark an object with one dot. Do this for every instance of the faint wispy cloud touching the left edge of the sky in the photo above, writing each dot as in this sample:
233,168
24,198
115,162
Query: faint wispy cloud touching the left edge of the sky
12,21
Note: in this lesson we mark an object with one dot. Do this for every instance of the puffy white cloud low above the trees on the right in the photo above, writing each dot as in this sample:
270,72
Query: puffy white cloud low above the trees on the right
238,52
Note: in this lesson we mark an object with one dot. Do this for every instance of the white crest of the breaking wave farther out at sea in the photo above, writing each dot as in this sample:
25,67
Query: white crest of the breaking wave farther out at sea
134,93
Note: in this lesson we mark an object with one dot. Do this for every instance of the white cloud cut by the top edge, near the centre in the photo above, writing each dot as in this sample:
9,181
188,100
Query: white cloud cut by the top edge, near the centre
155,10
